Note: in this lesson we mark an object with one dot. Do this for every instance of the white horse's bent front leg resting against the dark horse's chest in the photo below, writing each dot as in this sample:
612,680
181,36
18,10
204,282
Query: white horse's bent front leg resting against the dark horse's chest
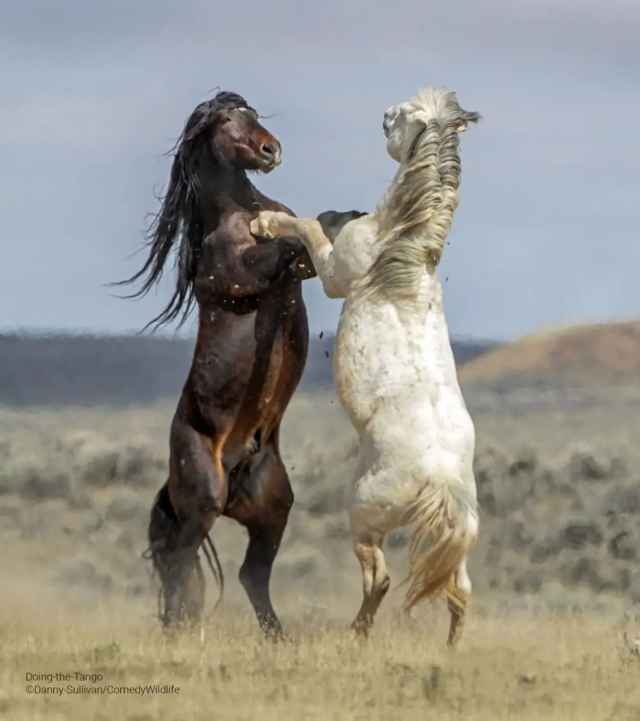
270,224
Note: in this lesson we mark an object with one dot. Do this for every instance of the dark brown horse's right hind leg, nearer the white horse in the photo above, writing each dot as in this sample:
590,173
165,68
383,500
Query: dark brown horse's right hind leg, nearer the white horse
262,506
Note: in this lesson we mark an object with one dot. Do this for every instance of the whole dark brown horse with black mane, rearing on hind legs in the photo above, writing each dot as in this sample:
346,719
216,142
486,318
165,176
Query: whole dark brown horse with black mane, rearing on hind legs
249,356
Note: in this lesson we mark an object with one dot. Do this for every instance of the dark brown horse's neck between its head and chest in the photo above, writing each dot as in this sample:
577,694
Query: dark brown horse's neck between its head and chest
224,188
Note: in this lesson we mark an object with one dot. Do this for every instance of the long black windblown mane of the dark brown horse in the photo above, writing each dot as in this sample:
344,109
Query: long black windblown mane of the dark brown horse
179,220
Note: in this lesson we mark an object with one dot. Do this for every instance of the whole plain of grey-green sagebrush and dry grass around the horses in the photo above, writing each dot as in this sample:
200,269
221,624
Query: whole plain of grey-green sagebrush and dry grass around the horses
556,588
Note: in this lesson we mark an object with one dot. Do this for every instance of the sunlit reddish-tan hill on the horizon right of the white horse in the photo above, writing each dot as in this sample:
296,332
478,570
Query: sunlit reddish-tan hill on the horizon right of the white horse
603,354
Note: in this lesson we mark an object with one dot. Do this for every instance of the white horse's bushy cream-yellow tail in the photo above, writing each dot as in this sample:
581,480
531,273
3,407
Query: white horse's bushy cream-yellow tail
444,516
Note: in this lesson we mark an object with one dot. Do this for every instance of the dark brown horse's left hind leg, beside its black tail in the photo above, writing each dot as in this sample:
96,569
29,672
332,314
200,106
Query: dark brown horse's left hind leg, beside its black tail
183,514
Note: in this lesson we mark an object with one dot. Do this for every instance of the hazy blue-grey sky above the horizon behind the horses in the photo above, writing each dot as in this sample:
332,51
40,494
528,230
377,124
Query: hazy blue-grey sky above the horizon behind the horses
93,94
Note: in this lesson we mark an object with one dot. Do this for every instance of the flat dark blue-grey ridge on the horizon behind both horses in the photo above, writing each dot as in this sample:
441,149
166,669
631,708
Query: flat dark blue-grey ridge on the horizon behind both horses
60,369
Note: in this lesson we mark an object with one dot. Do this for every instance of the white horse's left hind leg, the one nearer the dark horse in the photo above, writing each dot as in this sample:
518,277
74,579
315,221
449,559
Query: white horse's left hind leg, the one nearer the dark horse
375,579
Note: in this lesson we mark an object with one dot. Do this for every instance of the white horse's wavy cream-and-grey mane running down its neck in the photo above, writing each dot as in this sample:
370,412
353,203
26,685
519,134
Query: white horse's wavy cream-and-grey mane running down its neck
416,213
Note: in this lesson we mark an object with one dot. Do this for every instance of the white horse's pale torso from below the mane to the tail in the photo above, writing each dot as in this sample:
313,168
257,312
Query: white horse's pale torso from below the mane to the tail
396,378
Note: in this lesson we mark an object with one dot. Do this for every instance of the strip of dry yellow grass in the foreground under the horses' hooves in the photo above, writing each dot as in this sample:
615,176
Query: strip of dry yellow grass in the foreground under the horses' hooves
525,666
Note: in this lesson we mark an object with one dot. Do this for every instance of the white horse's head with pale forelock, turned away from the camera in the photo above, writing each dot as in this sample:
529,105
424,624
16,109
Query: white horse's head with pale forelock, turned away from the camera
404,123
